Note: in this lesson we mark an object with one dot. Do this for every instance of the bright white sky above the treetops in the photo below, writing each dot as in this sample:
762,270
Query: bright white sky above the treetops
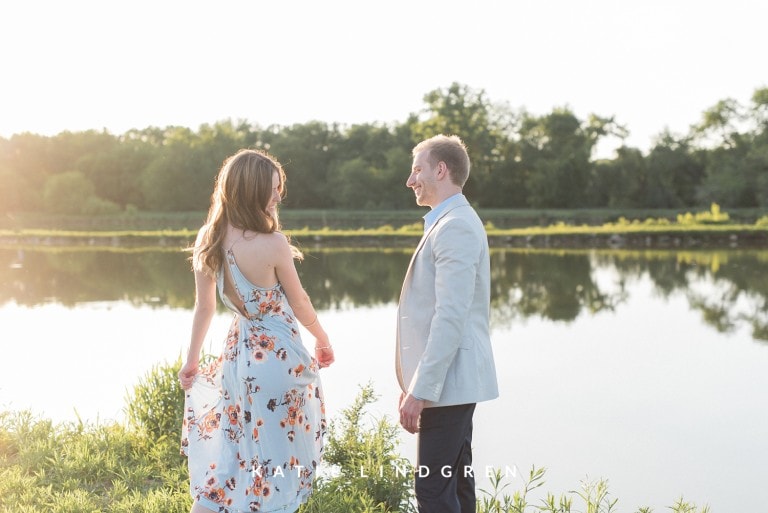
115,65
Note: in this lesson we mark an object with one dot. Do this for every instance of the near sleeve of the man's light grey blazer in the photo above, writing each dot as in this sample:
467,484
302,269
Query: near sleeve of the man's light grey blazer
456,253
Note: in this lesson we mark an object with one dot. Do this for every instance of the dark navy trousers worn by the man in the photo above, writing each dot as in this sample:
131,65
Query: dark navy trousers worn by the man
445,480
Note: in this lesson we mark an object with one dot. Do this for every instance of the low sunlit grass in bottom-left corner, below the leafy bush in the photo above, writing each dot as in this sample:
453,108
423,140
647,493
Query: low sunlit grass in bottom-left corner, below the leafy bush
74,467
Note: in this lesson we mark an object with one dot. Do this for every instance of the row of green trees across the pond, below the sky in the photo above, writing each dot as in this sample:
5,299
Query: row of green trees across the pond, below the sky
519,160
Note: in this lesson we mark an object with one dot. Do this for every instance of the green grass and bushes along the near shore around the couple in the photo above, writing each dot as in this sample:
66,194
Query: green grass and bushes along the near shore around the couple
136,467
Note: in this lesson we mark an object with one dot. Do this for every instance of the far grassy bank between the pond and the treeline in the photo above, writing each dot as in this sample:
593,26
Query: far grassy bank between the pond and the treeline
711,228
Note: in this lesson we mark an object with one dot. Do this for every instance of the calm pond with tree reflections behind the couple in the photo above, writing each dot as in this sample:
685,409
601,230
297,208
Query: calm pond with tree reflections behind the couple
647,368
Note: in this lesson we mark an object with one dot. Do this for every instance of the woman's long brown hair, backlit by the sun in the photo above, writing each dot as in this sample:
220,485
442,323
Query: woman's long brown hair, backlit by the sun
241,196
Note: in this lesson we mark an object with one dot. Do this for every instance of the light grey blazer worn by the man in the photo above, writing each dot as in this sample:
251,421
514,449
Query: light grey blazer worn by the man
444,350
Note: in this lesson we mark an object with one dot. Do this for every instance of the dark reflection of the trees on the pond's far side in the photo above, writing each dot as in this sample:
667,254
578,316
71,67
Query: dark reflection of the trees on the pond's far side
729,287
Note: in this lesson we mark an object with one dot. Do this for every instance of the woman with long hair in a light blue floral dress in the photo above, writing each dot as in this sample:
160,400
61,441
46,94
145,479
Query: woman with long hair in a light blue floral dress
254,418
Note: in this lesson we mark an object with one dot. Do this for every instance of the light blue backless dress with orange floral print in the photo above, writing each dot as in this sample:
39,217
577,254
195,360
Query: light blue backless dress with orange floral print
254,419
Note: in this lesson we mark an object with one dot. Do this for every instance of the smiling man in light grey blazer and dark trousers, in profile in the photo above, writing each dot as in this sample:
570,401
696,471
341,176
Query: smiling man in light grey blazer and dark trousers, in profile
444,360
